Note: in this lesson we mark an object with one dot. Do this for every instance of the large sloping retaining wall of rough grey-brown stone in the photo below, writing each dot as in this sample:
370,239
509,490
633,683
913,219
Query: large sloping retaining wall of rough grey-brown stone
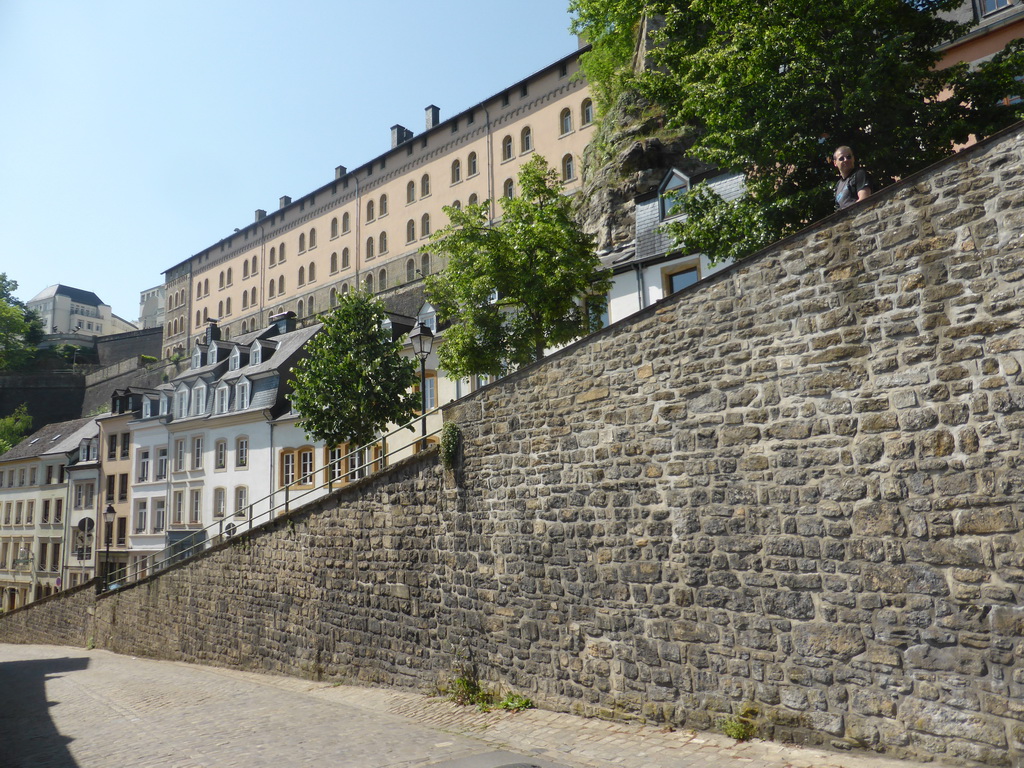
795,491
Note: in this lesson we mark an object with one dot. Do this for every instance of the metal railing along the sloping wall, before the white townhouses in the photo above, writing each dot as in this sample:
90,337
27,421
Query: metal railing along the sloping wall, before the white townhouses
297,492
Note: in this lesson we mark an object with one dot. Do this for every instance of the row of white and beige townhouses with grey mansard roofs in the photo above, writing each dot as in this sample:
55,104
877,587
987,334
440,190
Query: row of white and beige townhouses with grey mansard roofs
206,455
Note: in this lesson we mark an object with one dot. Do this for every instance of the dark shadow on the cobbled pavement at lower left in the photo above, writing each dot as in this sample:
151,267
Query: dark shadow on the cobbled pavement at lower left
29,738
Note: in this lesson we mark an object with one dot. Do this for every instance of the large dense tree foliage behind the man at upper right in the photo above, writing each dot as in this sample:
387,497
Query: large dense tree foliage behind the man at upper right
773,89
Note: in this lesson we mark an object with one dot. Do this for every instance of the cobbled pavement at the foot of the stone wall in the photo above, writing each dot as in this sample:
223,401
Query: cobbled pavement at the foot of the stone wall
72,708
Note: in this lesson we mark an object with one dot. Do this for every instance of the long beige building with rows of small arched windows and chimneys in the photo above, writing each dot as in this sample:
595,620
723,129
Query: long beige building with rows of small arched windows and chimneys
367,226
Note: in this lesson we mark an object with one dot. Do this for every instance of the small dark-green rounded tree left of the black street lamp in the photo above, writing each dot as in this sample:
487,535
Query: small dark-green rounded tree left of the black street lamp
354,380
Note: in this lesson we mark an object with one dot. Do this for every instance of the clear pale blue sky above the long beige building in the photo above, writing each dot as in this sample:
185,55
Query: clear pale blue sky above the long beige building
137,134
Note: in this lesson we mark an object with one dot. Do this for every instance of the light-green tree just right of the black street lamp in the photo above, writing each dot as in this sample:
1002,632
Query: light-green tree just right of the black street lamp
515,288
